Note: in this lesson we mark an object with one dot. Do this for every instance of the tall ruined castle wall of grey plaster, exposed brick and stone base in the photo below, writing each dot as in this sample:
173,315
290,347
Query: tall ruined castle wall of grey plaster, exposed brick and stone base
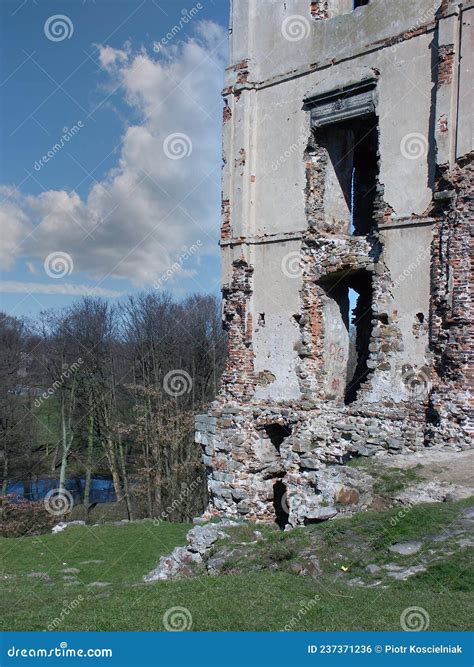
312,380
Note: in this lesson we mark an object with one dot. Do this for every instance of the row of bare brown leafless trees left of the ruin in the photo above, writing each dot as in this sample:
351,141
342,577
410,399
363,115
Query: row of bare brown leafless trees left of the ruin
103,389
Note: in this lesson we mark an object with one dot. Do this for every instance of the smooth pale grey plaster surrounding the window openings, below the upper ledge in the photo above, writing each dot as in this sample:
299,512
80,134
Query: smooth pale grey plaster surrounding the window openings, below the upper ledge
271,210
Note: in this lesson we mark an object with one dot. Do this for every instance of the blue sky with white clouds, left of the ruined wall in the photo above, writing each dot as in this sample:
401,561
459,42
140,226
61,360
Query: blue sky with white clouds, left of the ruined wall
110,148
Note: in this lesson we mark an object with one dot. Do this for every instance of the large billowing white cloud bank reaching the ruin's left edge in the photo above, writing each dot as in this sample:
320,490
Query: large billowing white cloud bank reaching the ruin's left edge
138,219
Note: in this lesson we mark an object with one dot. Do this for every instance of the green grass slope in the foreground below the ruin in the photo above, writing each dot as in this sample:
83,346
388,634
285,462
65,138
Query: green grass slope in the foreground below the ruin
265,600
